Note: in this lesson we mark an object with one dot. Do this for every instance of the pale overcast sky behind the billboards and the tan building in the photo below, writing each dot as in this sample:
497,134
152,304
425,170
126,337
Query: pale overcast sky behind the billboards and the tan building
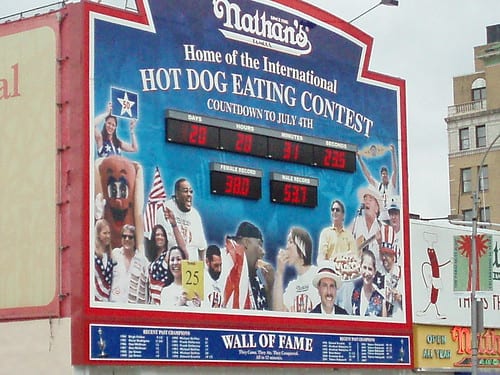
426,43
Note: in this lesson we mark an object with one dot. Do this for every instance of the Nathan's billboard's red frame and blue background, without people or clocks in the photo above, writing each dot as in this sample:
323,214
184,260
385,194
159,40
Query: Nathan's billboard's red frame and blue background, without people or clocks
189,60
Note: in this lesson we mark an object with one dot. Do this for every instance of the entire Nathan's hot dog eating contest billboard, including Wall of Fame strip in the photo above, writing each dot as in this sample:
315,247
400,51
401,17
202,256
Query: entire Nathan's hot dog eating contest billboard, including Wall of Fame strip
247,186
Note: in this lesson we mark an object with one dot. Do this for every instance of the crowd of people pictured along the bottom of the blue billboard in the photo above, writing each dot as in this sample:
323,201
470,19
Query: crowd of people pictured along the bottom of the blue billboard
355,270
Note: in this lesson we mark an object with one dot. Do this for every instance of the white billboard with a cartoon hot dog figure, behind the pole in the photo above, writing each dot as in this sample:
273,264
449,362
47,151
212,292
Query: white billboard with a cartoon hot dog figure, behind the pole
441,261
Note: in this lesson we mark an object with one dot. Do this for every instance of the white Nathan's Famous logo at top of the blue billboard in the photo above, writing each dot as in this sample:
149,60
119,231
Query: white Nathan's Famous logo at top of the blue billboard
259,29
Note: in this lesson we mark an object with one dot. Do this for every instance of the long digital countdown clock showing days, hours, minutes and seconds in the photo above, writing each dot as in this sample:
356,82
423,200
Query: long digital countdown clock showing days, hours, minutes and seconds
207,132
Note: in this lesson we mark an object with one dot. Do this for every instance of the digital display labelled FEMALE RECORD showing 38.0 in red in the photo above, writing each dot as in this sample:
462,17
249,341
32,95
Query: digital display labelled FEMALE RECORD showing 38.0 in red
236,181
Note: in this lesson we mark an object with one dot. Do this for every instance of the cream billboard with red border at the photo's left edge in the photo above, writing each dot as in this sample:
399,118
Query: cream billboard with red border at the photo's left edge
28,95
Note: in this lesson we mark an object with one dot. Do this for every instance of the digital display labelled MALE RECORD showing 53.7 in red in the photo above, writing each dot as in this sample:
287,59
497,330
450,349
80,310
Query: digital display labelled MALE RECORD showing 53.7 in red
294,190
